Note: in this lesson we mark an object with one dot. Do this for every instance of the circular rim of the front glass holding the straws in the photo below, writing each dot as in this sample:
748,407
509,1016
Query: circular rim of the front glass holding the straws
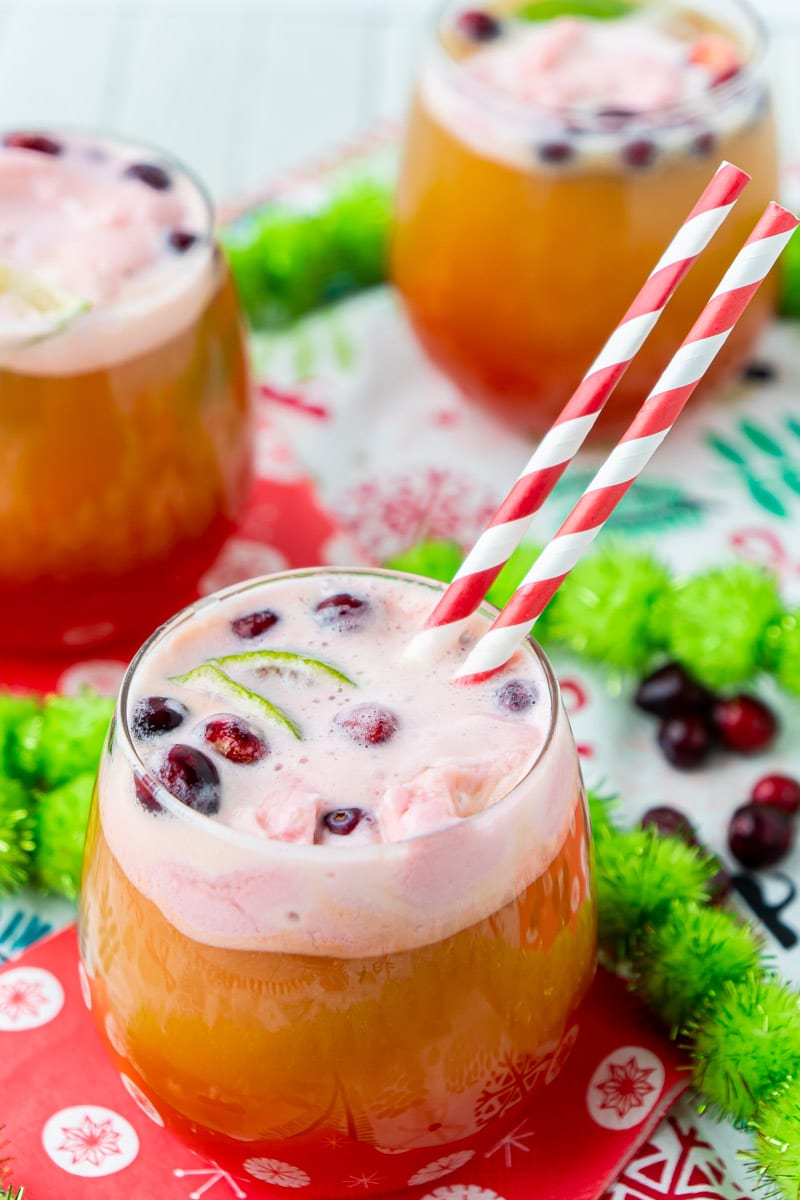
324,854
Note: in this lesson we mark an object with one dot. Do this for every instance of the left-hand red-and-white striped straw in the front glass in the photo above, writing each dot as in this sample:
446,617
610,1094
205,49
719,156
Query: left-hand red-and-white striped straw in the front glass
567,436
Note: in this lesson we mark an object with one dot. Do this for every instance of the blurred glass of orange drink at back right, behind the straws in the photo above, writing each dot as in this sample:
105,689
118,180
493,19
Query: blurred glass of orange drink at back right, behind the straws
525,231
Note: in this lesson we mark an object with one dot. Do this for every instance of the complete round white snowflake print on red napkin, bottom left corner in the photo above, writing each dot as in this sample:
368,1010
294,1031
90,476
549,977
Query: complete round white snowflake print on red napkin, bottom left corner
91,1142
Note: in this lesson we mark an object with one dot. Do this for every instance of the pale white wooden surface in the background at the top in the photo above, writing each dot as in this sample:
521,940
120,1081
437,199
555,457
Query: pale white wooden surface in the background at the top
244,89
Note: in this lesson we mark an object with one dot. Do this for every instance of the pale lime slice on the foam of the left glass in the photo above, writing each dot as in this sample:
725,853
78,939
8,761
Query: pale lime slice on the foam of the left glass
32,310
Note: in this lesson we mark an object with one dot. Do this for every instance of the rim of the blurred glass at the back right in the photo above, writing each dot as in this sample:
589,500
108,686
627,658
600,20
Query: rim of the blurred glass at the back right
510,109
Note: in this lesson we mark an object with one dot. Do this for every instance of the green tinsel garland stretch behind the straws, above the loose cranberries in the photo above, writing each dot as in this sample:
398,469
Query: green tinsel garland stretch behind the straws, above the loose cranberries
622,608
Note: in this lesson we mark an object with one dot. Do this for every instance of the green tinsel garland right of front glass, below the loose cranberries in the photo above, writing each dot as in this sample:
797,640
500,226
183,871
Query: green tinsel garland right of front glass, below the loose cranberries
700,969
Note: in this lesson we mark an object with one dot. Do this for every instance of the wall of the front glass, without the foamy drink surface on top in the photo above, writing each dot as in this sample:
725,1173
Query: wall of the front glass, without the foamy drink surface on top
309,1015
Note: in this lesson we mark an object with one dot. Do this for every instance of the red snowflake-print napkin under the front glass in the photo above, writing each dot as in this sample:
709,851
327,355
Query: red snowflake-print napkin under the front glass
81,1131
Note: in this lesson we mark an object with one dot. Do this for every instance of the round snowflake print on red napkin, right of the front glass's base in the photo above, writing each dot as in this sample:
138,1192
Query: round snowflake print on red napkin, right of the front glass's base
625,1088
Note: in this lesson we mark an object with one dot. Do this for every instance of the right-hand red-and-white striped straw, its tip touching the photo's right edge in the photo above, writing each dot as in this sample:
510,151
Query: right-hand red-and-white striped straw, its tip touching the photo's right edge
635,449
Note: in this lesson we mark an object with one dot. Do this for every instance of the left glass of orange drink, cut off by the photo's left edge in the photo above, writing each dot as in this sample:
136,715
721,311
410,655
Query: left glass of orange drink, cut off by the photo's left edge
125,433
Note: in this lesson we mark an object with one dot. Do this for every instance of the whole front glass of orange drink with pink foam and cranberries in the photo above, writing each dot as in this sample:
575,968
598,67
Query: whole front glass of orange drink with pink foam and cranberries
338,915
